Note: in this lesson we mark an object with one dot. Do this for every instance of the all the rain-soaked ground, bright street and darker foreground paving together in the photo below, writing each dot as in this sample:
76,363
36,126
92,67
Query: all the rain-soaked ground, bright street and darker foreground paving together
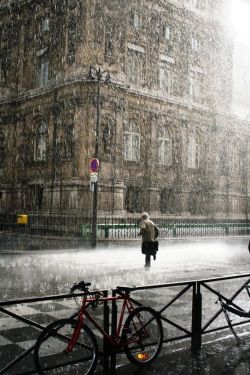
42,272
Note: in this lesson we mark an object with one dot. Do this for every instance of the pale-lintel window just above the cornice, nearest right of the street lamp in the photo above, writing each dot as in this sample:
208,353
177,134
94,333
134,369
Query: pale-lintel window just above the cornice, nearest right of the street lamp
135,66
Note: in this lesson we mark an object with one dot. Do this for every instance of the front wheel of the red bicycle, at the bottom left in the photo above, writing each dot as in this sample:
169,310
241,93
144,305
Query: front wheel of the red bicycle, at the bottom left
50,356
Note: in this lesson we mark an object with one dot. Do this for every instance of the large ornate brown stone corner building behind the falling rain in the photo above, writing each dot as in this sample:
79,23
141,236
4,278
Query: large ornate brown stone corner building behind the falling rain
168,140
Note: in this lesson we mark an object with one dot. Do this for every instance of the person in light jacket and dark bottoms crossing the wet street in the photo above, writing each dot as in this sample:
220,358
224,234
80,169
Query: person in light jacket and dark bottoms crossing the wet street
149,233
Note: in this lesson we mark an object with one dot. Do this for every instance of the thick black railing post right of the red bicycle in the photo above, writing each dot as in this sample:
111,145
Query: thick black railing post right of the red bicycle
196,318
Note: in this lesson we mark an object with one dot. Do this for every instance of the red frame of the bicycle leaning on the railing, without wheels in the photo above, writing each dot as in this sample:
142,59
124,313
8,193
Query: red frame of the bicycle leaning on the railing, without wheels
114,341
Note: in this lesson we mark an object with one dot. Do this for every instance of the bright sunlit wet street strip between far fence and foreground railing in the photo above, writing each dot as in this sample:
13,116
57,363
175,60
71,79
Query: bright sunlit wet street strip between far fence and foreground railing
43,272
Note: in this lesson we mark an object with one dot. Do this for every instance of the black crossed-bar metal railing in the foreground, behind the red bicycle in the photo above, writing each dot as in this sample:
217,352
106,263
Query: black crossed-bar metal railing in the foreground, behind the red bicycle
188,310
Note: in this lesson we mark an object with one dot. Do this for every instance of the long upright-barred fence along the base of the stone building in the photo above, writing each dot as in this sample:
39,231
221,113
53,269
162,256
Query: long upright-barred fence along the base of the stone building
121,228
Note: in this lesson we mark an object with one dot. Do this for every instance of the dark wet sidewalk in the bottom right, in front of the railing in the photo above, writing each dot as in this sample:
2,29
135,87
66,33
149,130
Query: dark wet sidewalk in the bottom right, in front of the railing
223,357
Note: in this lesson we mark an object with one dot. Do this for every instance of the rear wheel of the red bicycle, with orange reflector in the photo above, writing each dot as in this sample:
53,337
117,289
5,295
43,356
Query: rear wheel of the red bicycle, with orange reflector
142,336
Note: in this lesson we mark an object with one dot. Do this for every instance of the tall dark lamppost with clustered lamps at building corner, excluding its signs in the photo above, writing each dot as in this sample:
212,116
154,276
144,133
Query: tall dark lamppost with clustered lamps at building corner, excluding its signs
97,76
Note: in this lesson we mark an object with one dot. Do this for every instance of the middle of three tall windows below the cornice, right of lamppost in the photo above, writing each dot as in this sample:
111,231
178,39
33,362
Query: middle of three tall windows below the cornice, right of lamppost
164,147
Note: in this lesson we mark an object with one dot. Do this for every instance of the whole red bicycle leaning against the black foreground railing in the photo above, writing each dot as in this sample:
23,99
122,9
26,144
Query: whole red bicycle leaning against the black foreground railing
69,346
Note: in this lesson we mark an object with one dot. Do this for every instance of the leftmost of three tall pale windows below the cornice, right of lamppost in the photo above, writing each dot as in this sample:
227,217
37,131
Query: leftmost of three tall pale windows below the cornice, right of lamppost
131,141
